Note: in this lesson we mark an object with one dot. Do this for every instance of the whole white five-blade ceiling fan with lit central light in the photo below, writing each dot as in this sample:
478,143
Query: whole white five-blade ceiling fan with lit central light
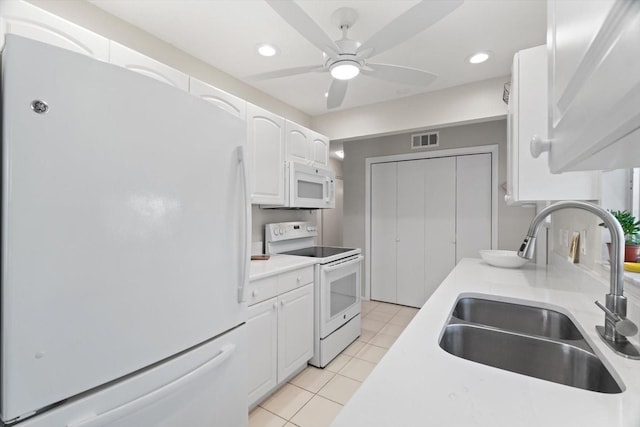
346,58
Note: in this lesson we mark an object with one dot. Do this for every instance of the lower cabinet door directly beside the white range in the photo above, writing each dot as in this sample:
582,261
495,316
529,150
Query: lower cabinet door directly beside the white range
295,330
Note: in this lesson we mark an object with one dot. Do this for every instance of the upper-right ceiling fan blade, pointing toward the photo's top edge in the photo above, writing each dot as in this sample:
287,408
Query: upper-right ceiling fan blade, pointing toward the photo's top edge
410,23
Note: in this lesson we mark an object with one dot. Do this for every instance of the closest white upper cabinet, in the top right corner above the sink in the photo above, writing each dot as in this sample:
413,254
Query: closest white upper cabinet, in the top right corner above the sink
594,88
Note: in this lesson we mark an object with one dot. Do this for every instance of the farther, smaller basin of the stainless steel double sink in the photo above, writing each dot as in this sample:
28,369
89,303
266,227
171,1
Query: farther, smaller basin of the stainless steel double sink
517,317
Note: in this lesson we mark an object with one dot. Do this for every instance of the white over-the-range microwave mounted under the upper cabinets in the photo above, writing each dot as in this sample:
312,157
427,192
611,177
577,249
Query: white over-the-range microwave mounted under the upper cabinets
308,187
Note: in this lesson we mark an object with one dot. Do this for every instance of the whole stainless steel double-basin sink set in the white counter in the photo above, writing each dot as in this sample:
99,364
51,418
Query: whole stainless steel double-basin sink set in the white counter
527,340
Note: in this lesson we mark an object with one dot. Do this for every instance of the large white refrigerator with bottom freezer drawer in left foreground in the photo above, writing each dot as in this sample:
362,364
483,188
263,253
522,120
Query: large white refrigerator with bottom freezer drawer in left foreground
125,221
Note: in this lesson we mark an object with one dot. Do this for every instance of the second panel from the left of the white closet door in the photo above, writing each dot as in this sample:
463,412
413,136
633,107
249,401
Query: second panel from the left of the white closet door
411,224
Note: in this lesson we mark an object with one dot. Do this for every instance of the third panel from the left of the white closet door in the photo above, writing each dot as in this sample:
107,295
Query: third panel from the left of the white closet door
440,221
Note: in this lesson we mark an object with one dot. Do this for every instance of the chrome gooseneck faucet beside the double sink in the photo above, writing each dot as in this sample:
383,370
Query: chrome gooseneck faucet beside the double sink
616,327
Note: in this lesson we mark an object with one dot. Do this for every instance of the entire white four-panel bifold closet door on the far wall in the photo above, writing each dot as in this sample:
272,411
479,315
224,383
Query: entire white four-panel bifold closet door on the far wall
426,215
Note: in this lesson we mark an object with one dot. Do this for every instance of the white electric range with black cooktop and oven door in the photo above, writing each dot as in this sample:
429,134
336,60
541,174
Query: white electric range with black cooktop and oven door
337,286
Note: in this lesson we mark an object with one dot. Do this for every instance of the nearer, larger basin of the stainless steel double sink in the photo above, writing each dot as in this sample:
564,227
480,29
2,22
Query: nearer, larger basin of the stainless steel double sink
535,357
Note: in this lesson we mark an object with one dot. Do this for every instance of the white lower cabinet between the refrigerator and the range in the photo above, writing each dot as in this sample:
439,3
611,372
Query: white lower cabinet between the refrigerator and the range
280,330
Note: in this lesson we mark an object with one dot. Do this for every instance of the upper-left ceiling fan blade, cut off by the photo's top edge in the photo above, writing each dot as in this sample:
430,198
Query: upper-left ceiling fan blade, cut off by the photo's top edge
302,23
